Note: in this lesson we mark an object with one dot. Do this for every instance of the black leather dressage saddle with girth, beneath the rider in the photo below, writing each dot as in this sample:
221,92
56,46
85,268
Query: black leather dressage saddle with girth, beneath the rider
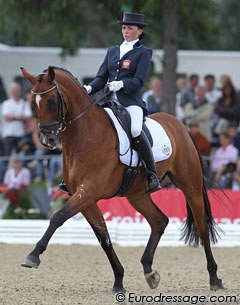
124,119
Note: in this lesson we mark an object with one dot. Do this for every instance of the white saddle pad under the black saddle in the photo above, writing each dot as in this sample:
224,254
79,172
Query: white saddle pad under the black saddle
162,148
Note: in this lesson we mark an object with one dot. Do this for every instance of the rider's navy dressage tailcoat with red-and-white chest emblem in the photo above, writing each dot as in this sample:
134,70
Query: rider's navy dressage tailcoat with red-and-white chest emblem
132,69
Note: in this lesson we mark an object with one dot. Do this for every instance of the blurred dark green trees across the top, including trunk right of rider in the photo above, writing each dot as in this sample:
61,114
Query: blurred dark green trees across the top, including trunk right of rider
173,24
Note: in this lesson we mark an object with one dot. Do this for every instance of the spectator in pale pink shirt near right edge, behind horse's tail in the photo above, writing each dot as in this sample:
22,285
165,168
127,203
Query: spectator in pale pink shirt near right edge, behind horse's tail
223,155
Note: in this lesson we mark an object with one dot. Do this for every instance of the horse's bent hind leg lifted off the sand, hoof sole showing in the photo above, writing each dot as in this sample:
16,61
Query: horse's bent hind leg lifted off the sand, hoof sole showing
158,221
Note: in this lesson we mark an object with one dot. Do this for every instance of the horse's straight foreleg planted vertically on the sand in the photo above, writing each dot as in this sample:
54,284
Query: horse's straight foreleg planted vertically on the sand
97,222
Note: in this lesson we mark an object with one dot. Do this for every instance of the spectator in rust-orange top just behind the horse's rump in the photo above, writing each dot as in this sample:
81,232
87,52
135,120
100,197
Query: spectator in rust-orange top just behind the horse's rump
202,143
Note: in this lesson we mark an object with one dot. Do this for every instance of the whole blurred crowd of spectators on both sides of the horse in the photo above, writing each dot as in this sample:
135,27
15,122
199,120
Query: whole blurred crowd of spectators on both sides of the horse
210,112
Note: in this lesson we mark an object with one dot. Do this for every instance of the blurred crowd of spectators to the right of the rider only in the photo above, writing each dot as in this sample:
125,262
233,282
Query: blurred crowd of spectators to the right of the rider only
212,115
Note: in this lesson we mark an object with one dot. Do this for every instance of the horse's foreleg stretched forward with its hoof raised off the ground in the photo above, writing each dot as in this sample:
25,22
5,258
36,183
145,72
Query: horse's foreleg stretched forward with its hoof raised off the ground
71,208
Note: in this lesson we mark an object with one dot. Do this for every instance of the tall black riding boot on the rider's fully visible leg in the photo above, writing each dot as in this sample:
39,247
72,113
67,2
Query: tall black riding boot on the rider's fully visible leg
145,151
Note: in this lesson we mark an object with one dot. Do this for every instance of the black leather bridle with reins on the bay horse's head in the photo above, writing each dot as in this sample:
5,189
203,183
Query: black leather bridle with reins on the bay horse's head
61,123
